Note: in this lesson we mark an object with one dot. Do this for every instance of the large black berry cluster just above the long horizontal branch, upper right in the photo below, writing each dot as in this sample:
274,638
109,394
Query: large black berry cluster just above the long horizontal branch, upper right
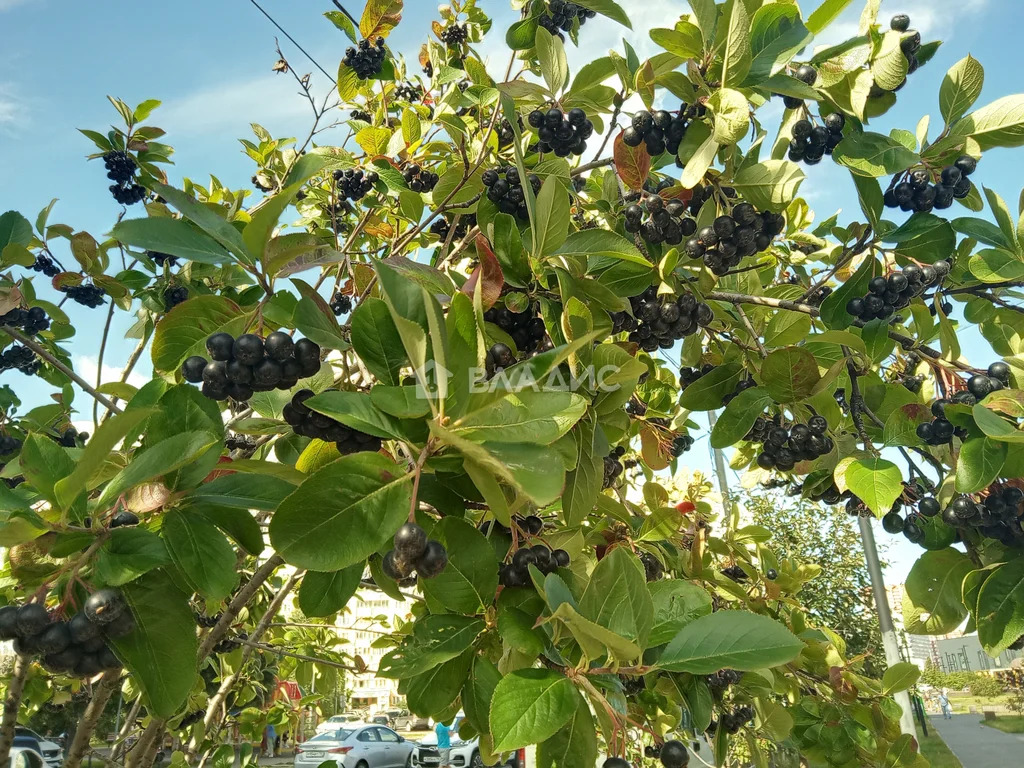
733,238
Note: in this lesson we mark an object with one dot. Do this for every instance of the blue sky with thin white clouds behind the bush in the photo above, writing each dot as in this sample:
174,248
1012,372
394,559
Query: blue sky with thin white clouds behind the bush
210,64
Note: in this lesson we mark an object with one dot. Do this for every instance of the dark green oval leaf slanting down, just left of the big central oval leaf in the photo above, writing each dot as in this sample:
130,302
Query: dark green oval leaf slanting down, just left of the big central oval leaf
203,556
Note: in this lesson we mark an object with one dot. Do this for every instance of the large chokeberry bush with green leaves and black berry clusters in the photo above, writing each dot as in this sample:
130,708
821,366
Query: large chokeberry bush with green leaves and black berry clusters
493,318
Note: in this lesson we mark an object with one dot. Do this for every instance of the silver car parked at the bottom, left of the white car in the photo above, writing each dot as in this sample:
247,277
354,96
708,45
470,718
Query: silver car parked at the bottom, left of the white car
357,746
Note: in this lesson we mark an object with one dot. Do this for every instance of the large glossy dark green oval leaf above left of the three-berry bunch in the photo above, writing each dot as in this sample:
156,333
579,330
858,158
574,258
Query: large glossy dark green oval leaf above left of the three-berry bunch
357,503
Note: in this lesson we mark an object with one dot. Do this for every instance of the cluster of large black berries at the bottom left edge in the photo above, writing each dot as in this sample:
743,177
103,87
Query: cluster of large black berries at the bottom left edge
77,647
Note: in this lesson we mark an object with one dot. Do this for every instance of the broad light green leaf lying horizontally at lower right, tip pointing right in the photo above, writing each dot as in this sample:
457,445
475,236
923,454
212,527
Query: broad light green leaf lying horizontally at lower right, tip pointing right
736,639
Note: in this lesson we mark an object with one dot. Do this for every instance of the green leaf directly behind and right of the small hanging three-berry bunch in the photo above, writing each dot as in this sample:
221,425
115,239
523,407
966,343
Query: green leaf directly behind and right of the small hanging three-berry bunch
468,583
